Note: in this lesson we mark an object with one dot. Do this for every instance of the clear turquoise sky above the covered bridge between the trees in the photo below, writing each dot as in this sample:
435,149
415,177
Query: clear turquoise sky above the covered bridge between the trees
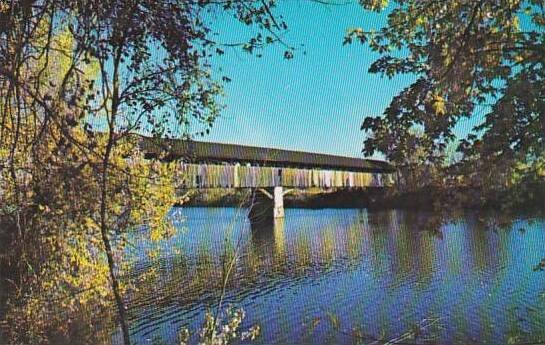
314,102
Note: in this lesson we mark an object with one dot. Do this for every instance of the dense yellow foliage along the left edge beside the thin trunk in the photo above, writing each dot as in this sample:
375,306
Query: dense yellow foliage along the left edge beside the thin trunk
52,216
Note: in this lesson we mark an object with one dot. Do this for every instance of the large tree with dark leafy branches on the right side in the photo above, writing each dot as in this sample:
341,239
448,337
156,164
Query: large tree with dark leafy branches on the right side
466,56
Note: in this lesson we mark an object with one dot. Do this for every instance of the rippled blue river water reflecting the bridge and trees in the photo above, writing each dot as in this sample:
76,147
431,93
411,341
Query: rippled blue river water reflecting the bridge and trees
381,272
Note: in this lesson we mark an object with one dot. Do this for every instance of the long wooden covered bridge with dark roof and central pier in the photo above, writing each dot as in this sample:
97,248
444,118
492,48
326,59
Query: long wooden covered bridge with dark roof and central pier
268,170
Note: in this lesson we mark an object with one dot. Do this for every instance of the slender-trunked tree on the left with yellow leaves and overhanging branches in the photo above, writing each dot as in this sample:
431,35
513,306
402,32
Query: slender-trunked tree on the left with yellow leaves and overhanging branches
78,81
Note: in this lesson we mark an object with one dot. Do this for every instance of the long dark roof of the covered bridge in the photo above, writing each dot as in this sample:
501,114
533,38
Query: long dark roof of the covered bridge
199,151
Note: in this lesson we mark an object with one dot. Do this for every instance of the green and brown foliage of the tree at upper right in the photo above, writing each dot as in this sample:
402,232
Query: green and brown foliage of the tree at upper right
464,54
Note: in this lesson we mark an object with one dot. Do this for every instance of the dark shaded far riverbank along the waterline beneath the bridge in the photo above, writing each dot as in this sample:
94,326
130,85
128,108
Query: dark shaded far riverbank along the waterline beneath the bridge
428,198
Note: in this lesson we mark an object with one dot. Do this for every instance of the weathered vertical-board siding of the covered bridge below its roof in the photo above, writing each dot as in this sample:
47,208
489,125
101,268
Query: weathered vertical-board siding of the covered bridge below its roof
240,176
